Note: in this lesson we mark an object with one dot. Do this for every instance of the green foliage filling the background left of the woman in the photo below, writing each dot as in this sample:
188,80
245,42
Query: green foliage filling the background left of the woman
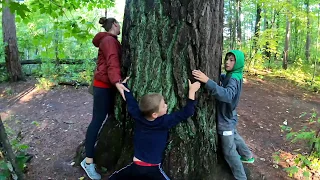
57,29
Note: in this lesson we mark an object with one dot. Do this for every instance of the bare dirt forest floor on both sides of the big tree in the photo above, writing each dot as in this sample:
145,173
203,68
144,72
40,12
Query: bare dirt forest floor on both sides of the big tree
53,123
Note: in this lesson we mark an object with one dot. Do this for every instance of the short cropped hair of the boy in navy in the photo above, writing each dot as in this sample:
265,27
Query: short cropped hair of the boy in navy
150,103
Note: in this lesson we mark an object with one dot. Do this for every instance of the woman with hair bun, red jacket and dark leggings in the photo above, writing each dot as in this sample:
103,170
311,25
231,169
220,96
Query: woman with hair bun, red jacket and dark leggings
106,77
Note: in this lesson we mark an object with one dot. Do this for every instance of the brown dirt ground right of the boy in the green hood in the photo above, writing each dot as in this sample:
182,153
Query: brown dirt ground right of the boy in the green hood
264,106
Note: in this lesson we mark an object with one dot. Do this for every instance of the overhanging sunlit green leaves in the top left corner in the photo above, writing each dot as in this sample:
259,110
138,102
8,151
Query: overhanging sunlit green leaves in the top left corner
62,13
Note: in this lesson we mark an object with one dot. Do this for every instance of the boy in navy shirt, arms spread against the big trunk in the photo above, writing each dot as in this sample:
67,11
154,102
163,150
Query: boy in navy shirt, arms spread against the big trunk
152,124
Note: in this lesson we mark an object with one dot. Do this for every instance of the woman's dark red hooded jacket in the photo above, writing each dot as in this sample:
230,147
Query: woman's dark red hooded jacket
108,71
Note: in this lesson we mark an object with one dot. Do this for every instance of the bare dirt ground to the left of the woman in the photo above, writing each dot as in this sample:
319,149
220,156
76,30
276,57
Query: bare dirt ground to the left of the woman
52,123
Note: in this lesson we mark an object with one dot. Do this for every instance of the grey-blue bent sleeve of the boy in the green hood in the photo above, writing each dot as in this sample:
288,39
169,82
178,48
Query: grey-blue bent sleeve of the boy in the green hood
223,94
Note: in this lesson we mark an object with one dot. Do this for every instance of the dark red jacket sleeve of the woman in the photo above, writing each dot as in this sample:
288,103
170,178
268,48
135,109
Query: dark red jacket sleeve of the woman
110,49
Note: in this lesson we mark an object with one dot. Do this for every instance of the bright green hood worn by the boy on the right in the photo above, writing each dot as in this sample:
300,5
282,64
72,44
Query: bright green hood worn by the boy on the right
237,71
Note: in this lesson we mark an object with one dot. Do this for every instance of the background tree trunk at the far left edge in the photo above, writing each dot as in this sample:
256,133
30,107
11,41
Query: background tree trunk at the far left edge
11,48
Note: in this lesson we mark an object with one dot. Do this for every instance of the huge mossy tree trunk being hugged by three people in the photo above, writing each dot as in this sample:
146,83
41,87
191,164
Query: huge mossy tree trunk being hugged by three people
162,42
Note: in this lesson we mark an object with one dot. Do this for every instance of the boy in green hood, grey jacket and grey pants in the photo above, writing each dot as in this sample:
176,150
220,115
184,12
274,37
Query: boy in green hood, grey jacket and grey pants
228,94
